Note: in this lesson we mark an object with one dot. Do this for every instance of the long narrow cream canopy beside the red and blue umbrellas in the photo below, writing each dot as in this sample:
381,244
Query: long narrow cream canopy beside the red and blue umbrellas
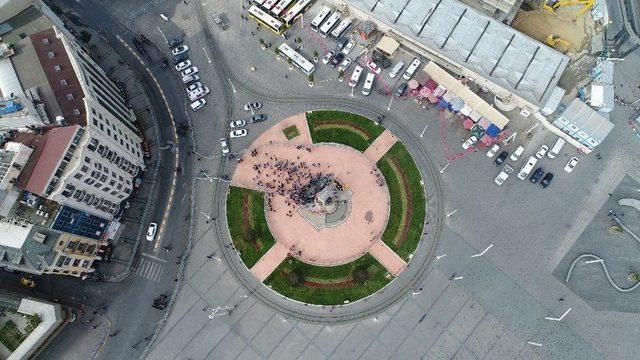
443,78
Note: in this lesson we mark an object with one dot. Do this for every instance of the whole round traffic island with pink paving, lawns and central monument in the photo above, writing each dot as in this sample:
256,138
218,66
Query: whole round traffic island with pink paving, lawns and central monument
327,210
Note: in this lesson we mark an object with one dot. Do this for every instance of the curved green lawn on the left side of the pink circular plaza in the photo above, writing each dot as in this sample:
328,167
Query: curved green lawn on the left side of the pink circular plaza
248,225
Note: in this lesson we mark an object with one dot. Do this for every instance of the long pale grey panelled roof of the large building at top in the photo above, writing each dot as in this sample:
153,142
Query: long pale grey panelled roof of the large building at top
495,51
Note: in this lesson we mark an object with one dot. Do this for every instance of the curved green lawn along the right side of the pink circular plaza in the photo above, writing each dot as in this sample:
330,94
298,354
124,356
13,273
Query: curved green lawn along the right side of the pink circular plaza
406,218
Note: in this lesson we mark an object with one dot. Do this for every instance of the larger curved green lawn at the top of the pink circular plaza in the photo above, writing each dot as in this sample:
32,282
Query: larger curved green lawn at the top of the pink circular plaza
343,128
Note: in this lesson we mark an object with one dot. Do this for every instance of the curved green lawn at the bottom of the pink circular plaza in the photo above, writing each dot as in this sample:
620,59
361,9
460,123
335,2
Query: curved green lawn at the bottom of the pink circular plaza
328,285
